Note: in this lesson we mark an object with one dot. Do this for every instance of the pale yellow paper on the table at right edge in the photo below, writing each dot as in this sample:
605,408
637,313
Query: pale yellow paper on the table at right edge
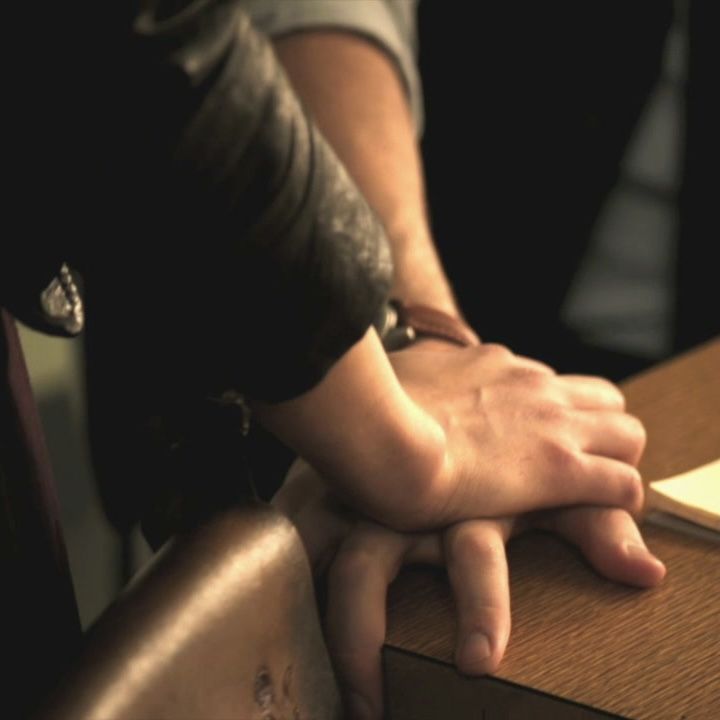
692,495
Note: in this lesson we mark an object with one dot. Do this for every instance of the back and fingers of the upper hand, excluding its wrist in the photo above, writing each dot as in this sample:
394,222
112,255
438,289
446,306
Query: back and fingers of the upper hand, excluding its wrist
518,436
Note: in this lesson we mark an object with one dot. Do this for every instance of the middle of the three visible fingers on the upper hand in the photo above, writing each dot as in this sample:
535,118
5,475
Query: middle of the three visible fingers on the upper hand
612,434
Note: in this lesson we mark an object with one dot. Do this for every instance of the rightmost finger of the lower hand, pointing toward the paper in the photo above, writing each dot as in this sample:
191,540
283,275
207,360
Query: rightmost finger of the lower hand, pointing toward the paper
610,540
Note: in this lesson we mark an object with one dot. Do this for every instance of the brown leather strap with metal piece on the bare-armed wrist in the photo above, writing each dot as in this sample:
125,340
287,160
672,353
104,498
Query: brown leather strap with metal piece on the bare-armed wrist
401,325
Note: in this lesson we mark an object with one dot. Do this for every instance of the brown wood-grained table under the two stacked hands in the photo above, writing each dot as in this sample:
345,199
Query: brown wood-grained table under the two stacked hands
582,646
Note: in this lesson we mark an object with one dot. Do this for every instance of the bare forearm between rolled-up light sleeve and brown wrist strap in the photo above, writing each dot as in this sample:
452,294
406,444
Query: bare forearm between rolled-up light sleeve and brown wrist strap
355,94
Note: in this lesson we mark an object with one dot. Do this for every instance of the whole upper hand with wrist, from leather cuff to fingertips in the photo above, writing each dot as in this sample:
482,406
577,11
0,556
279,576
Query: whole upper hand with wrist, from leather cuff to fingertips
461,433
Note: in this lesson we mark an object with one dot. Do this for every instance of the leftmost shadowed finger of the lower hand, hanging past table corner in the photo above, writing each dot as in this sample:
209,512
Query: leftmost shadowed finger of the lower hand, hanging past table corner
358,580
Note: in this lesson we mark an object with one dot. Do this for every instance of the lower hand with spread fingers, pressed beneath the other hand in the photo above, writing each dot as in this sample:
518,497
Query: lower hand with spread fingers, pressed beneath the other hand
362,558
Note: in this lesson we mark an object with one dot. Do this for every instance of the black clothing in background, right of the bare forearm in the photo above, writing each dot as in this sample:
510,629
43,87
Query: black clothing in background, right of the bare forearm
551,95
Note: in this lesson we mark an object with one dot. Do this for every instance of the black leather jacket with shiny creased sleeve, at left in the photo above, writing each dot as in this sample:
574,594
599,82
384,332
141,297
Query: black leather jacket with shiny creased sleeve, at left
162,154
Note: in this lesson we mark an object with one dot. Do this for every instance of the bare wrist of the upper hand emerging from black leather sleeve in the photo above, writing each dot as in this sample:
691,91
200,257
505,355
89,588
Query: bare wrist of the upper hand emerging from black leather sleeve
362,431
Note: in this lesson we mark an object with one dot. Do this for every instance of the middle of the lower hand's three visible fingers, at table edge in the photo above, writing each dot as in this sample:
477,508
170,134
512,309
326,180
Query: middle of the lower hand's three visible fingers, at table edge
478,573
